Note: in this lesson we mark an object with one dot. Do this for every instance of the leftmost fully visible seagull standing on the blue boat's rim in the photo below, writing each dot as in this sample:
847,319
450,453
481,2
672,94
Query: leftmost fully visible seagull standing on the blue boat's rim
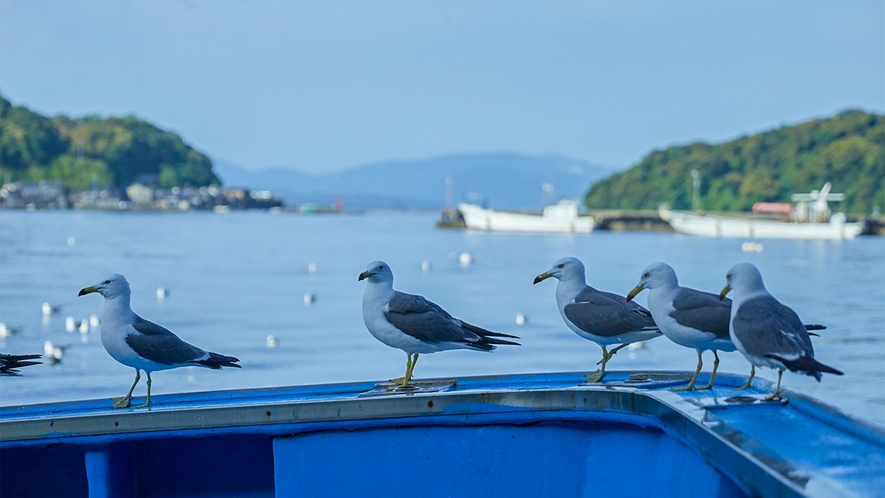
143,345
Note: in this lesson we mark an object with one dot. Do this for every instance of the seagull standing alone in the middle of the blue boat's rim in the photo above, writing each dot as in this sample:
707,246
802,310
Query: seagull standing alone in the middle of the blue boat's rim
416,325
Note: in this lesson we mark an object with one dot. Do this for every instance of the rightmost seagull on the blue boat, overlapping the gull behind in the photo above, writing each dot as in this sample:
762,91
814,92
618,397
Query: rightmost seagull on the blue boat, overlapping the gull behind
765,331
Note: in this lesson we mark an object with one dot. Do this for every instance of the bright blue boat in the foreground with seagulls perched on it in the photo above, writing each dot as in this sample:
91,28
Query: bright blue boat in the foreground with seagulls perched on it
515,435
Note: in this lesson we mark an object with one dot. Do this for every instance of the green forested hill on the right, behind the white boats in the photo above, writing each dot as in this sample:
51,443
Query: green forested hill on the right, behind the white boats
847,150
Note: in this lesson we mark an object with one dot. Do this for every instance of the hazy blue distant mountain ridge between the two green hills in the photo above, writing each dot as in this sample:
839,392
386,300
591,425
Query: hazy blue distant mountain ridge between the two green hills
502,180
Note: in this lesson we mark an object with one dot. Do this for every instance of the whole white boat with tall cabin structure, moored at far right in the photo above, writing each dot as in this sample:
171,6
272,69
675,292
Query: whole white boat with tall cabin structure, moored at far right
810,219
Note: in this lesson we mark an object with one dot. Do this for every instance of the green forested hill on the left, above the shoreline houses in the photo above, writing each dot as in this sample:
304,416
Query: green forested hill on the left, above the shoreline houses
95,151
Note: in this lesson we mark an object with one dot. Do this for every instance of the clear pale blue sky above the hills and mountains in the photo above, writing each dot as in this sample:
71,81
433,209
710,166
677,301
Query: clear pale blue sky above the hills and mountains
325,86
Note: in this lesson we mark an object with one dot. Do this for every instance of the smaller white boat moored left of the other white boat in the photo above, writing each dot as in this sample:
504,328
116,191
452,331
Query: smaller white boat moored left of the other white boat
562,217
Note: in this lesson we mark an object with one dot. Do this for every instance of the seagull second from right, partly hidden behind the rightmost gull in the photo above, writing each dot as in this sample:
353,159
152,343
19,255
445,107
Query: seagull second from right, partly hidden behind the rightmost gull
688,317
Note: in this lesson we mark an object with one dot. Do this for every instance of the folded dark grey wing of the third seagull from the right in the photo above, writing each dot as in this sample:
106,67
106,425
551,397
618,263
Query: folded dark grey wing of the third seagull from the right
606,314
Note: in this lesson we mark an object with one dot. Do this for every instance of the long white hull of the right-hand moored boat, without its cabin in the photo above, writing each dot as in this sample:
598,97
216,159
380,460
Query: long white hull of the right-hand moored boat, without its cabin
729,227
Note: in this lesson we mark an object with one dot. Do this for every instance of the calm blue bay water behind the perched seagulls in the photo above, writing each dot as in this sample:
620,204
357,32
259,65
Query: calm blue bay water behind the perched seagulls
235,279
